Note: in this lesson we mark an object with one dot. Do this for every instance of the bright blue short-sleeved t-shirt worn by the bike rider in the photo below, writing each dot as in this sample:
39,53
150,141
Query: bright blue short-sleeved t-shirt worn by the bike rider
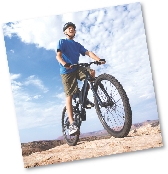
71,51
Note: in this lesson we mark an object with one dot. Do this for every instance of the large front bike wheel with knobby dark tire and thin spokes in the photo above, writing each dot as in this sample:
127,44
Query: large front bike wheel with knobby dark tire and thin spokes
116,115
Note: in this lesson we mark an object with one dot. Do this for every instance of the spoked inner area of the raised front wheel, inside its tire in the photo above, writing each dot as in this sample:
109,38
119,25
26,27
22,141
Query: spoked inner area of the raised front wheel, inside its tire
113,116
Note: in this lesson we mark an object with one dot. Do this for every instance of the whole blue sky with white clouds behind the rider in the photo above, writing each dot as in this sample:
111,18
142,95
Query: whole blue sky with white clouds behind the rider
116,34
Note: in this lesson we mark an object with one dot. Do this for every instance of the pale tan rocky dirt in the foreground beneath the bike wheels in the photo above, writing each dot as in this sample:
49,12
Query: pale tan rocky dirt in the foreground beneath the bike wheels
142,138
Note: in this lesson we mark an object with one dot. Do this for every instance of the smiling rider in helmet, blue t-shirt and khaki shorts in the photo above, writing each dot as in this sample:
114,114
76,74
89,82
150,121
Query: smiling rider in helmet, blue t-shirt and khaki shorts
68,52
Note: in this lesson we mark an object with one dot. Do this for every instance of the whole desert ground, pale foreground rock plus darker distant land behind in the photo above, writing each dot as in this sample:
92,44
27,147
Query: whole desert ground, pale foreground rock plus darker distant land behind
141,136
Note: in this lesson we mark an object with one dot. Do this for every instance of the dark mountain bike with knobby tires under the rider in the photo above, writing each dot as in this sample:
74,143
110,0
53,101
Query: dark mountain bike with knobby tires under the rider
110,101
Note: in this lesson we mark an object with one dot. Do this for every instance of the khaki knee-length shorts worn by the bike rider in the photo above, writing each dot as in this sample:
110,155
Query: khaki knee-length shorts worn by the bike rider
70,80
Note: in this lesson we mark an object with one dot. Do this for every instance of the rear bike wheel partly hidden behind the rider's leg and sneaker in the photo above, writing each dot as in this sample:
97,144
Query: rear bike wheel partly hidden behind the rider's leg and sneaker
71,140
